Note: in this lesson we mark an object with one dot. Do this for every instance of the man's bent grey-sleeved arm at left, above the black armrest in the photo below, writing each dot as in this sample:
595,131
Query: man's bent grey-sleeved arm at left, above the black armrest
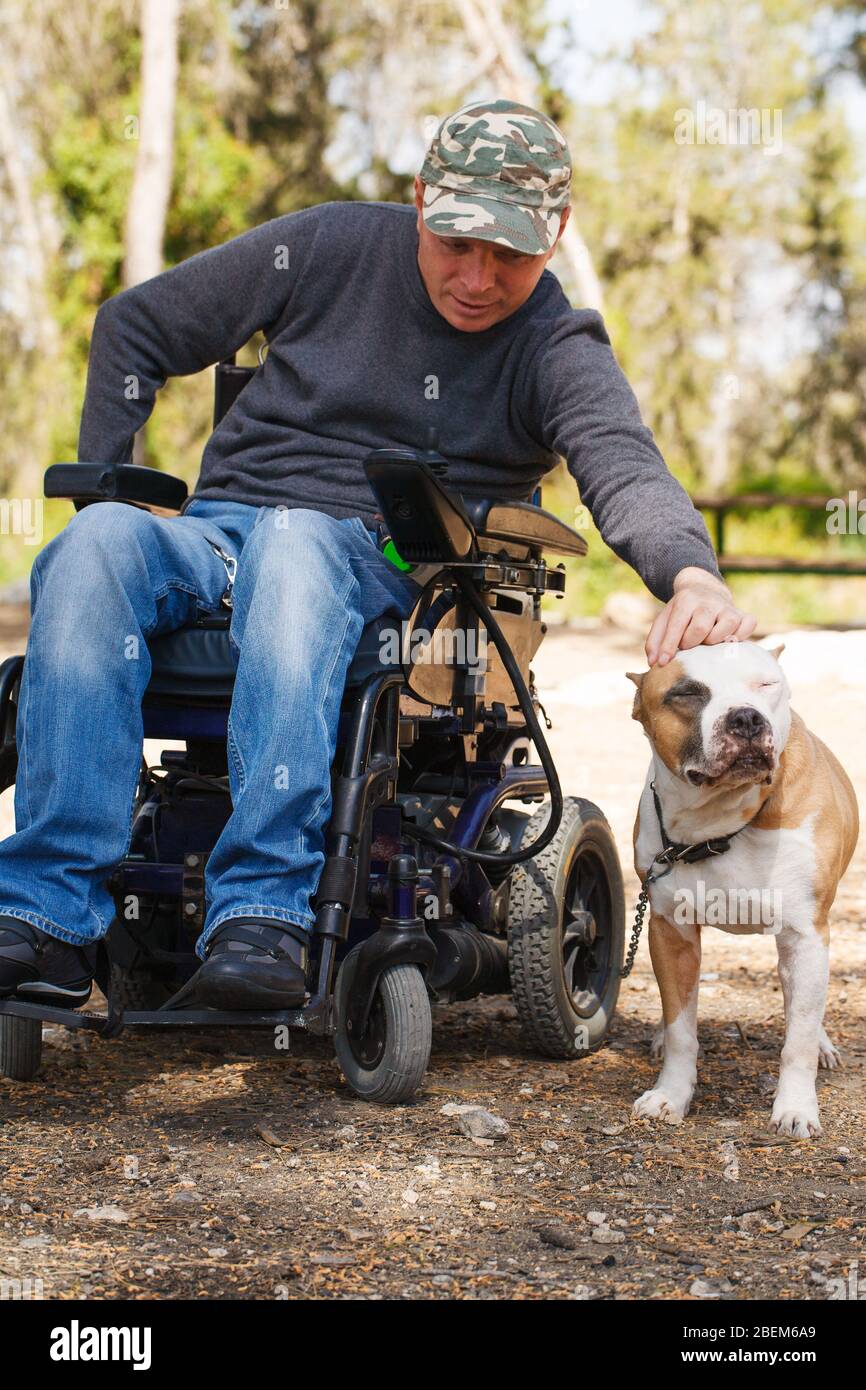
181,322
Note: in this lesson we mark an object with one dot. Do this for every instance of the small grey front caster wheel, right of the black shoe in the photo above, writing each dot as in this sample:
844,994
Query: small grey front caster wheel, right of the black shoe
390,1061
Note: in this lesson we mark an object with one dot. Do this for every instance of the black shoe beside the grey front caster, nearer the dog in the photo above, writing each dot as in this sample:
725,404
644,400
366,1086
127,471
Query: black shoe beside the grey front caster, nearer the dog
252,964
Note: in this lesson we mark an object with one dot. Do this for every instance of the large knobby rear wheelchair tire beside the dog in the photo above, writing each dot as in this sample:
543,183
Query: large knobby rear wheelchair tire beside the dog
568,933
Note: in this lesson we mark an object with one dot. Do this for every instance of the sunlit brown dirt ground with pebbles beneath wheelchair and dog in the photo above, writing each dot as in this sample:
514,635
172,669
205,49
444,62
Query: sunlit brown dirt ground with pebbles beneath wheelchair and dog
237,1174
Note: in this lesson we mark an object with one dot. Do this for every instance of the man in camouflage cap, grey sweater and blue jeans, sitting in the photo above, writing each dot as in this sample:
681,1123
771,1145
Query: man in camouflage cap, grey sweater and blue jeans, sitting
382,323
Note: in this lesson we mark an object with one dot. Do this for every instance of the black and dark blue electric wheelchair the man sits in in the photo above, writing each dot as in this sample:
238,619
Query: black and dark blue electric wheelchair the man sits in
433,888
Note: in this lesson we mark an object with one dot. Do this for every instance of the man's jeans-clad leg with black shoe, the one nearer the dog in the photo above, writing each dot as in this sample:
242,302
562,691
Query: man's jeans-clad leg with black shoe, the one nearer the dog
307,589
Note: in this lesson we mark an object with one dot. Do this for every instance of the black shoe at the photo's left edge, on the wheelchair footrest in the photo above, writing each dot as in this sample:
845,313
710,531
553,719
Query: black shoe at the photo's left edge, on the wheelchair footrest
38,967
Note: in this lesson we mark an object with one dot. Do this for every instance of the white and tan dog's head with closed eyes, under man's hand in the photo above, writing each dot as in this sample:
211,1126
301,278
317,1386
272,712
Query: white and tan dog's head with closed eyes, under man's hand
718,717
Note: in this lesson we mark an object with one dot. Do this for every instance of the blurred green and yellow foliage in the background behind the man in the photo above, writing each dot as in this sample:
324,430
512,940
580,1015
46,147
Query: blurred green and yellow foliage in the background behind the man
690,241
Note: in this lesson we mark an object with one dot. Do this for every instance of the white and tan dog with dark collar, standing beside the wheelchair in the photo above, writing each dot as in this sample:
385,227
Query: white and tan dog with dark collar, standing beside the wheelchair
732,760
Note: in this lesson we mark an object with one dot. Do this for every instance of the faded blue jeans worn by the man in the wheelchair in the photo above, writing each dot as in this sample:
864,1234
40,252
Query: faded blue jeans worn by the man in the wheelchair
307,586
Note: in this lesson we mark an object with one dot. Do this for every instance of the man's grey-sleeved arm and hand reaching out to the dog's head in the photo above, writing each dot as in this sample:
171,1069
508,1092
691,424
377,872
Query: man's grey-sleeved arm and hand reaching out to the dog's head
590,415
